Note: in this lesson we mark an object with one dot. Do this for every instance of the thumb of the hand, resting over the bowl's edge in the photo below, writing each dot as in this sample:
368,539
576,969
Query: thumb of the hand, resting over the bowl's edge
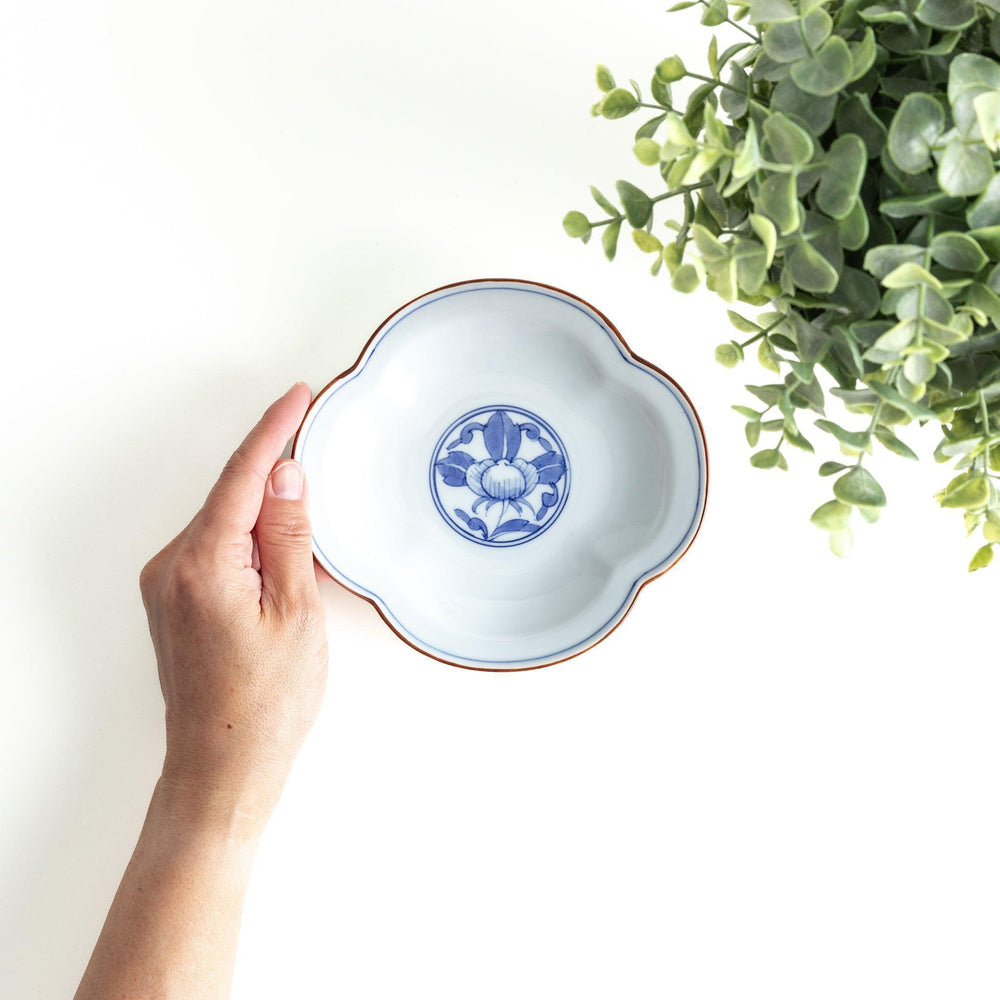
284,540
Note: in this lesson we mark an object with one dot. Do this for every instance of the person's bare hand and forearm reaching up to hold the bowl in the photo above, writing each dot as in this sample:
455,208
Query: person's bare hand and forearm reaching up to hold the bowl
237,624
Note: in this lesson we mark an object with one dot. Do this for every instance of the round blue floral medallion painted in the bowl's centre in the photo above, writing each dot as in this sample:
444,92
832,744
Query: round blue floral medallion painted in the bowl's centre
495,466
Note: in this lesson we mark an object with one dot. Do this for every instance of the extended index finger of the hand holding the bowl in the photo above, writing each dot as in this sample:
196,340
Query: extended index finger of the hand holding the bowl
235,500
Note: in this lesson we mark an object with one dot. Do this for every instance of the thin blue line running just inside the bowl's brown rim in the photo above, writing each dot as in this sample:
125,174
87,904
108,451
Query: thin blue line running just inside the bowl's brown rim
632,590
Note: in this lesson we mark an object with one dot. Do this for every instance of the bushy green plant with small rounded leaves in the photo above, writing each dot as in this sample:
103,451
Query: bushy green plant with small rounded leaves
836,168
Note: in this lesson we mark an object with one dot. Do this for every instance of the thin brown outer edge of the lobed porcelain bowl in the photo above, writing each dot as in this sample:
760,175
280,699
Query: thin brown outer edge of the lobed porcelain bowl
642,361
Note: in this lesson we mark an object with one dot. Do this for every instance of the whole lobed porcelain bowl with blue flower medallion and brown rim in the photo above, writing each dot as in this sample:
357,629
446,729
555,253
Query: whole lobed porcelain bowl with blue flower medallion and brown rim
499,475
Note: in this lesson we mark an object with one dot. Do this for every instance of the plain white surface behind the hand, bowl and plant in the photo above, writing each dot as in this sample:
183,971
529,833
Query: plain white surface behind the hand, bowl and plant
777,778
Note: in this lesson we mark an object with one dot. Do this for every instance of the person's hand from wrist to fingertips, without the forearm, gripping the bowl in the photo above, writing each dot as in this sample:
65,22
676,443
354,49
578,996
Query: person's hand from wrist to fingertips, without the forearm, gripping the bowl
237,624
